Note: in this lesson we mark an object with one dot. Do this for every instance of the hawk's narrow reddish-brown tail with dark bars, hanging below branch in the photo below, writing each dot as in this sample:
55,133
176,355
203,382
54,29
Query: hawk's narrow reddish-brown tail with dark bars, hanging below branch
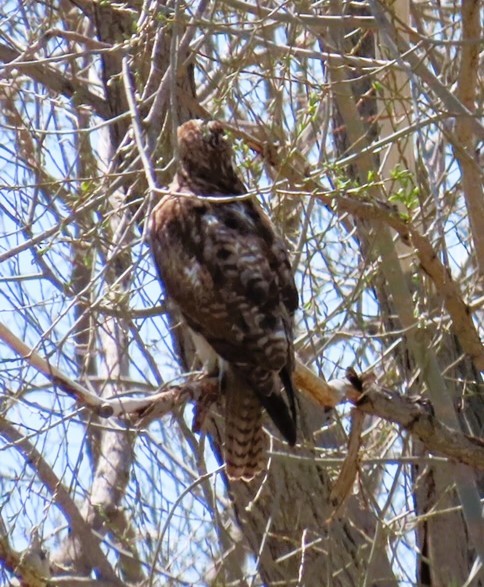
245,440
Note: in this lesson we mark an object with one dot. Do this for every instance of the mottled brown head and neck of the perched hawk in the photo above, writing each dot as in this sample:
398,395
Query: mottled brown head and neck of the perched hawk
206,158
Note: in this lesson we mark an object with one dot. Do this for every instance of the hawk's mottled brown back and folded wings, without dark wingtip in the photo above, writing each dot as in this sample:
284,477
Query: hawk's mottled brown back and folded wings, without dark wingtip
230,276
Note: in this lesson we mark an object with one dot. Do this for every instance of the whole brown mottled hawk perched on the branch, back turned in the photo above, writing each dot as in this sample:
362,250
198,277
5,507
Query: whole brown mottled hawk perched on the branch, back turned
230,276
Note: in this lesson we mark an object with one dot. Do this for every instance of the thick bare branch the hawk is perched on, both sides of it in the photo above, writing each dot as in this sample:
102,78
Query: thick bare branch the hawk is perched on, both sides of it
416,417
